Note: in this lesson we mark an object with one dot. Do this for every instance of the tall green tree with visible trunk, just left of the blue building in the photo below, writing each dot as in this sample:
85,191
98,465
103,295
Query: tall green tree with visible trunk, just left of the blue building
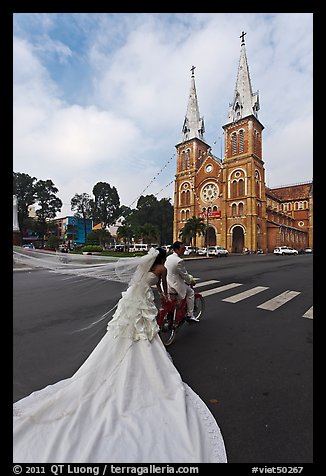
45,194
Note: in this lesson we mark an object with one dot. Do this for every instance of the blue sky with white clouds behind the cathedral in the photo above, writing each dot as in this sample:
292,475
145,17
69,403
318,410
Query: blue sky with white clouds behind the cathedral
101,97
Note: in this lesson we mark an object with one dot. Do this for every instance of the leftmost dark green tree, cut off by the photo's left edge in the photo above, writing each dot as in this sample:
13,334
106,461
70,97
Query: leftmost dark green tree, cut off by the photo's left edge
24,189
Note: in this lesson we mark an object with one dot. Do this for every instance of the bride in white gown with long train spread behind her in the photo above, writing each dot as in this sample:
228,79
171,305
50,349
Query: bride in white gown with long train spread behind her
127,402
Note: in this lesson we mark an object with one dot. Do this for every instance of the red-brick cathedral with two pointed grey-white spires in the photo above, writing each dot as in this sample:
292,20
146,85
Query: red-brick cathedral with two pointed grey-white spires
230,194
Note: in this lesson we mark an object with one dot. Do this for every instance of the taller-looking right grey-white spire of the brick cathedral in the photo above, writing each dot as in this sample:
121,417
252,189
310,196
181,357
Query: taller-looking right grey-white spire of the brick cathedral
245,103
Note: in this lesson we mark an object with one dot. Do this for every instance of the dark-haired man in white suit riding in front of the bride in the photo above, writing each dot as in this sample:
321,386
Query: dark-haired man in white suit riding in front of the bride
177,277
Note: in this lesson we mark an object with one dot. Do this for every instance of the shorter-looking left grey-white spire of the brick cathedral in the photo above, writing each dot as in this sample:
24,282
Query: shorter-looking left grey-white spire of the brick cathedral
193,125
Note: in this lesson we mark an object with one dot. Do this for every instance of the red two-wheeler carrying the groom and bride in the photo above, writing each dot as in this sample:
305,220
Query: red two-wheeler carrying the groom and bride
173,314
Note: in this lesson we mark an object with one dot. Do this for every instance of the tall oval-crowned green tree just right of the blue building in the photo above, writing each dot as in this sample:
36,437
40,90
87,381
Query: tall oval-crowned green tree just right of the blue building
106,204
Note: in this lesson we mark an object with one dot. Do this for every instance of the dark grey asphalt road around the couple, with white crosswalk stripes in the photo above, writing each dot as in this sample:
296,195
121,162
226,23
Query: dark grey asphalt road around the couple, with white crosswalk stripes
251,366
